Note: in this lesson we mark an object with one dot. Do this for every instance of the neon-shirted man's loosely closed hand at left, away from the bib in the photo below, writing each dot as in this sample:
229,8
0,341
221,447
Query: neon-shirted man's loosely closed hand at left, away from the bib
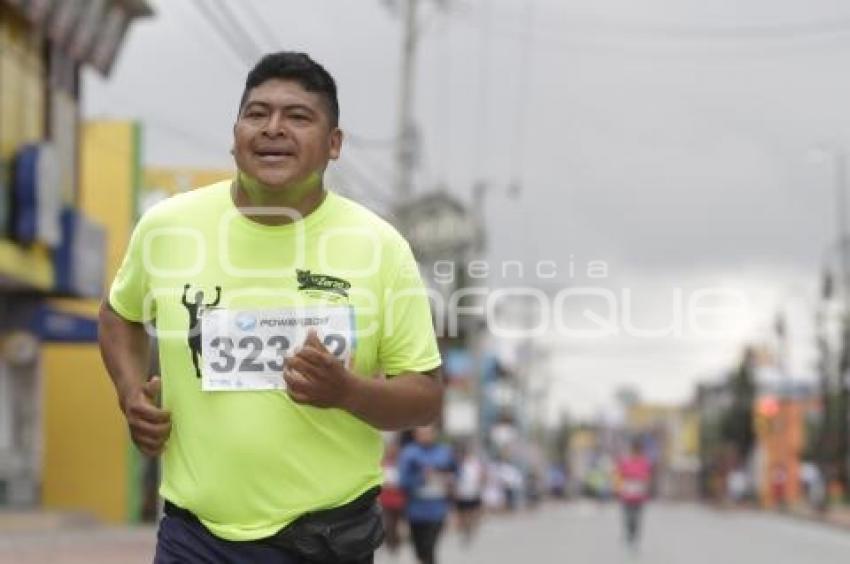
150,426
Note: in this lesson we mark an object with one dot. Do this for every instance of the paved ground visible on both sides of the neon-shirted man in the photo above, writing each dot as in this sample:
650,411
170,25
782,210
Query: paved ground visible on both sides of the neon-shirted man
579,532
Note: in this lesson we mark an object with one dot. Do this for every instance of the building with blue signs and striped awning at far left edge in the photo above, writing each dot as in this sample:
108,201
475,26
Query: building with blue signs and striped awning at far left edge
49,247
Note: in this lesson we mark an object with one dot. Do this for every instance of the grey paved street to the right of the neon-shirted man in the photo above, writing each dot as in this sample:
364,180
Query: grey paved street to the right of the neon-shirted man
585,533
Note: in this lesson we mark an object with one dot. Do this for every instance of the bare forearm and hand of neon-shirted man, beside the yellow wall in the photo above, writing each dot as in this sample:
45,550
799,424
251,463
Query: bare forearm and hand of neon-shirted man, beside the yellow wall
125,348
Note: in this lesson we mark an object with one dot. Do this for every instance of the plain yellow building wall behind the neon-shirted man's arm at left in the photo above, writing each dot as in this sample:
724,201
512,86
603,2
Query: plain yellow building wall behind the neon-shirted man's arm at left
88,460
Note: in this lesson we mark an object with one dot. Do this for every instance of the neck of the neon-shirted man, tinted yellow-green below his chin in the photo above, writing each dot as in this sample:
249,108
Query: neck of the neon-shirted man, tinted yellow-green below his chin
276,207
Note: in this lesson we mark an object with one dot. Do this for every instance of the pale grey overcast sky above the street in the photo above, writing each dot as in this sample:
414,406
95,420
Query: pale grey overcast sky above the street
675,140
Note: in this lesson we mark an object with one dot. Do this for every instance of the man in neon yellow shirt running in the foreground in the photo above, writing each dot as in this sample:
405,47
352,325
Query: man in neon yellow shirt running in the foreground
274,454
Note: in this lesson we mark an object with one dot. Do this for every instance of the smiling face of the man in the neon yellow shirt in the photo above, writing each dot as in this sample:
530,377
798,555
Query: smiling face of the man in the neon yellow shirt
283,136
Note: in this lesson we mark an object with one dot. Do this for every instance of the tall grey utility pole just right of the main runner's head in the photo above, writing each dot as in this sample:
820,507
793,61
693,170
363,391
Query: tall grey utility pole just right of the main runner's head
407,140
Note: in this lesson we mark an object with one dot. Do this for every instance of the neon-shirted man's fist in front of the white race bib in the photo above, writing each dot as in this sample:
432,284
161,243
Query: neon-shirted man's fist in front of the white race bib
316,377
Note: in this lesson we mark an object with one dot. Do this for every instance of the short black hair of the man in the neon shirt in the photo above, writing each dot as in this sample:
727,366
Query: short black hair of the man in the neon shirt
298,67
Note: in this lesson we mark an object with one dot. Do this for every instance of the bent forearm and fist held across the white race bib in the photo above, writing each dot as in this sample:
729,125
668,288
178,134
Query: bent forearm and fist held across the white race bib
315,377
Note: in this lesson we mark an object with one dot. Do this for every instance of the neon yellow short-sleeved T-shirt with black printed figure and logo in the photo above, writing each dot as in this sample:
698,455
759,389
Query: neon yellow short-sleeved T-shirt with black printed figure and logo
249,462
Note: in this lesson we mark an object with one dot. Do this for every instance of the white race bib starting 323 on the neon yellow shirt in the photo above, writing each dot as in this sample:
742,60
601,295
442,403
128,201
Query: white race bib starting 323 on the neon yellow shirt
246,350
